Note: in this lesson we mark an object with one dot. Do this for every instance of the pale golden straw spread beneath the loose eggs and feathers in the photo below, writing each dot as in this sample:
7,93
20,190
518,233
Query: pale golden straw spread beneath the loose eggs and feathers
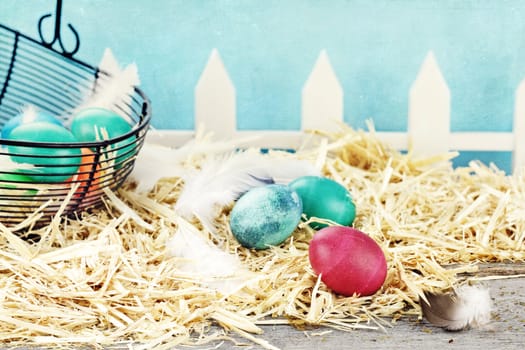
105,278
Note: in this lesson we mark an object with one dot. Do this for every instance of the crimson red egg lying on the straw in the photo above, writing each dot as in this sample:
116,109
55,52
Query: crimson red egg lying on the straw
349,261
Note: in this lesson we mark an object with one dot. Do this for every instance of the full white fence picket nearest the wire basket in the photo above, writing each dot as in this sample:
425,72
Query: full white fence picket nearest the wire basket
215,100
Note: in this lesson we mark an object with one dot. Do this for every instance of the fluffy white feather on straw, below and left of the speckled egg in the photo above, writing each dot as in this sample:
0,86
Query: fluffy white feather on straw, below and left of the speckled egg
205,262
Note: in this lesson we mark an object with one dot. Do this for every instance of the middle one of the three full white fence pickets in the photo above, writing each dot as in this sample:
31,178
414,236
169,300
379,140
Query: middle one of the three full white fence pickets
322,97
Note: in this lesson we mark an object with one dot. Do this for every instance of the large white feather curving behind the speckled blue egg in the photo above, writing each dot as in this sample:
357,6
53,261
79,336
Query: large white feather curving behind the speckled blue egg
221,180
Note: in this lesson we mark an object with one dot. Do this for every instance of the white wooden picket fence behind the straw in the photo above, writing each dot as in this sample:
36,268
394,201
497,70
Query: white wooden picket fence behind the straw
322,105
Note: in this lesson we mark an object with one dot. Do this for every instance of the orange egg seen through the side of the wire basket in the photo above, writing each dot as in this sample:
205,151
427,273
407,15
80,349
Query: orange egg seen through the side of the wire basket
88,175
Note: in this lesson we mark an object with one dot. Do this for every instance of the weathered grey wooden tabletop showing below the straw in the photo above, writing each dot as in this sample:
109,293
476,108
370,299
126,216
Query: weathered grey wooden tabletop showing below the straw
506,331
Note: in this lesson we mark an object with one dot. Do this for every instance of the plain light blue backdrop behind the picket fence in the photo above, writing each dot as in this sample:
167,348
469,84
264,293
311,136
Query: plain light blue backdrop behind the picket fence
269,48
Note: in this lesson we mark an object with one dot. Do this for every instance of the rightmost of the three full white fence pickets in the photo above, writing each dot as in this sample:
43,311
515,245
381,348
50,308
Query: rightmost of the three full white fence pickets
429,110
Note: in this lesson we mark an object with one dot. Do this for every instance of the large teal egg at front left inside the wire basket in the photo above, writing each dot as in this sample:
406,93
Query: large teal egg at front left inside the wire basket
53,164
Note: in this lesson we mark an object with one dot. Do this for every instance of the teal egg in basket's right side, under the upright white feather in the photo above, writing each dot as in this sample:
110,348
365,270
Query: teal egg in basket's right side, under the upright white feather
87,126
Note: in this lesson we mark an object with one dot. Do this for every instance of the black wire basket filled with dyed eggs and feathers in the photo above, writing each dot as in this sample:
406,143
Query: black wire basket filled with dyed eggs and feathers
68,130
